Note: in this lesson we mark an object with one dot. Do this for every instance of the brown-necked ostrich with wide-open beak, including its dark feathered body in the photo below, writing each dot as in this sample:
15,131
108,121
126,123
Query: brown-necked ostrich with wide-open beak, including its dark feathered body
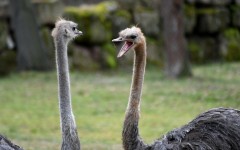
216,129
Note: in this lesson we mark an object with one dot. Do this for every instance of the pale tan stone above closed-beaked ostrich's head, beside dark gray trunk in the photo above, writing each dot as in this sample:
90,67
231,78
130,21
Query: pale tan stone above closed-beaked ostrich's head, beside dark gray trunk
47,12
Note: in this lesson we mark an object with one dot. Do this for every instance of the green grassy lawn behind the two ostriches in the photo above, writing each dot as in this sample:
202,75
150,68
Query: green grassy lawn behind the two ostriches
29,112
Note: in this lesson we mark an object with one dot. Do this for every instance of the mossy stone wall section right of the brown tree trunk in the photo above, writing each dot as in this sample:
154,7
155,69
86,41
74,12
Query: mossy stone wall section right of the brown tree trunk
213,30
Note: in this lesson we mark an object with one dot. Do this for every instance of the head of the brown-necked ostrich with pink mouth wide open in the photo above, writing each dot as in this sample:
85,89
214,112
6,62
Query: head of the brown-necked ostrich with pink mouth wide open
132,38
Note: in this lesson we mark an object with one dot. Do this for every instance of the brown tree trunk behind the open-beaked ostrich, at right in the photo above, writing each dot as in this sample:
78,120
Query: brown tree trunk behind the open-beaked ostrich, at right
176,57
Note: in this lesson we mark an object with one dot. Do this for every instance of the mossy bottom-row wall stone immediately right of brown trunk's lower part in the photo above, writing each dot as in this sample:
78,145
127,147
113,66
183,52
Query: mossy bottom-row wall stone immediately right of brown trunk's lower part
202,50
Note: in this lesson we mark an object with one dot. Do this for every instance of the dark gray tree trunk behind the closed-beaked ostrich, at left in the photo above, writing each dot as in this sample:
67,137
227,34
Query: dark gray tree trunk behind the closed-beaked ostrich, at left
31,52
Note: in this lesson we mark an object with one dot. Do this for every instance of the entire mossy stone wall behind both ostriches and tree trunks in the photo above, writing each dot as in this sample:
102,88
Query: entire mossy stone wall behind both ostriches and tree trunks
211,29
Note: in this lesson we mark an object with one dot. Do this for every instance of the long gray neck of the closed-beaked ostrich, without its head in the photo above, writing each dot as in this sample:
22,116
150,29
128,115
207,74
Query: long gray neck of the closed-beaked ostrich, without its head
70,138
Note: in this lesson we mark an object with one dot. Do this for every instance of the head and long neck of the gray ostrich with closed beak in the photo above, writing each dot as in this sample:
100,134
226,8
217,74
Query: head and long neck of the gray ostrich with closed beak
63,33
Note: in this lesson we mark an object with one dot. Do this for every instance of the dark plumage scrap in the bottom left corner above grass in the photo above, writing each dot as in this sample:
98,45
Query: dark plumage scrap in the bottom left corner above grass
6,144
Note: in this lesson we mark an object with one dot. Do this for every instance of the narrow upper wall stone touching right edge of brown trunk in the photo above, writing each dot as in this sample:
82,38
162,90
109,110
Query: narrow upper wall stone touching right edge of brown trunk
189,18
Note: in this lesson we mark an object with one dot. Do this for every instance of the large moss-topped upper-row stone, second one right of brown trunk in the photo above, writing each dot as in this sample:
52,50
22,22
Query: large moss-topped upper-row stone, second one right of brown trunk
212,20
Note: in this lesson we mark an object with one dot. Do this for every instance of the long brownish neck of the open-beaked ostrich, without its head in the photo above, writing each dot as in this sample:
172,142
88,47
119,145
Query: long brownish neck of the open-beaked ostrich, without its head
130,135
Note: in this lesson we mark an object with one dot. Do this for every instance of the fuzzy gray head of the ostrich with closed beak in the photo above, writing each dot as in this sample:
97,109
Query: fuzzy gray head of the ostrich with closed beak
65,29
